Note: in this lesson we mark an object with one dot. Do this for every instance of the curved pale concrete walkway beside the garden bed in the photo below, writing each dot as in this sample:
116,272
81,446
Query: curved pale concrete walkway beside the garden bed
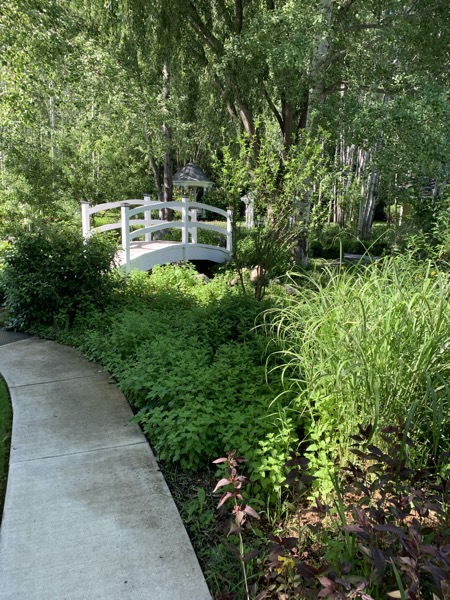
88,515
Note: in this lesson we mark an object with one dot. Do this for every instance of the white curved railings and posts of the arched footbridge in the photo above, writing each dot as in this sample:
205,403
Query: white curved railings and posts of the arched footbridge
130,209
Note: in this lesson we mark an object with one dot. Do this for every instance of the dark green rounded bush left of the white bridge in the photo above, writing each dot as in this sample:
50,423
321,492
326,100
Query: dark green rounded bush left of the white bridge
52,273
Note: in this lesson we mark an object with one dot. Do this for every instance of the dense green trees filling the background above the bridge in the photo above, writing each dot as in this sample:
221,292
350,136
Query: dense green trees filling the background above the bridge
103,100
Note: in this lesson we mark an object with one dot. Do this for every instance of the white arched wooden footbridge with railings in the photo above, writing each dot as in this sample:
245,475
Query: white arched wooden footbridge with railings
139,250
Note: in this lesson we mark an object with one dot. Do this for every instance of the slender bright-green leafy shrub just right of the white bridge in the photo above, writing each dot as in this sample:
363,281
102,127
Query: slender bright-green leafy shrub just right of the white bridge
280,184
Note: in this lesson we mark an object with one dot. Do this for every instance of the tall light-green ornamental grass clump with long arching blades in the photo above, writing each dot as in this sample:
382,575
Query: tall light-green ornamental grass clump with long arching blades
372,344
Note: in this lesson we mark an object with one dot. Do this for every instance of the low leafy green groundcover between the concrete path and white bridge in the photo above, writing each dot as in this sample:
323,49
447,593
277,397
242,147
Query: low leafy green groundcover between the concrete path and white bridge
187,357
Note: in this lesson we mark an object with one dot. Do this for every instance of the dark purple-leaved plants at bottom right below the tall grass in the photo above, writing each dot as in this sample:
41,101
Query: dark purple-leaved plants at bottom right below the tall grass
385,534
